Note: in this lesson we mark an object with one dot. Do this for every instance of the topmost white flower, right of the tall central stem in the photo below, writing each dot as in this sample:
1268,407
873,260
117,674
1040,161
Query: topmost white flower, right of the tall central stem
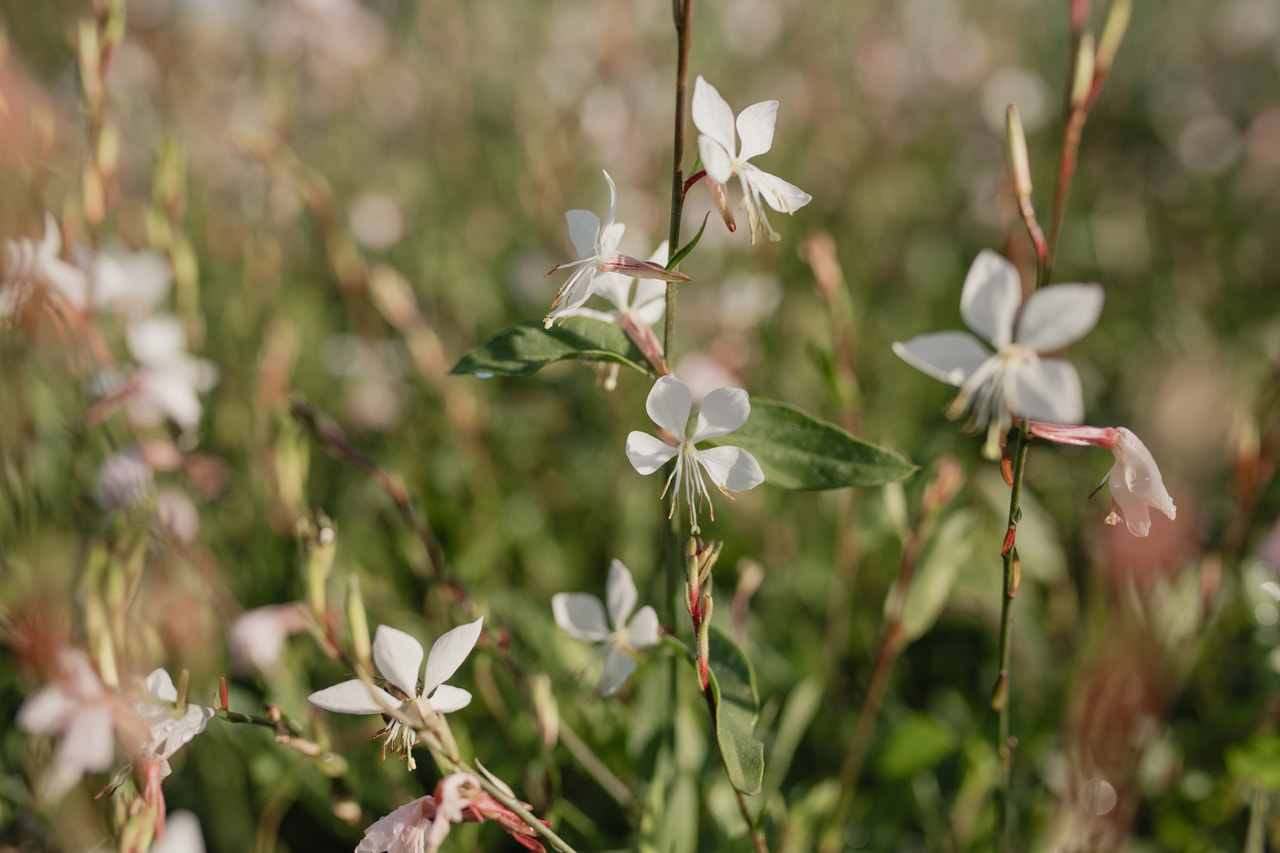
717,145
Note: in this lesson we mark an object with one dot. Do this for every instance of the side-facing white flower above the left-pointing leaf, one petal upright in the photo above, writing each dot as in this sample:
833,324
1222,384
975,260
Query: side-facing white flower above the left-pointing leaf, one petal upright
597,248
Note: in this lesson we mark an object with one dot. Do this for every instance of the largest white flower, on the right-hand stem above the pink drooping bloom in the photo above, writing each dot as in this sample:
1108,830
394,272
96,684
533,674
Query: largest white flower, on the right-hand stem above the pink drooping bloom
1014,381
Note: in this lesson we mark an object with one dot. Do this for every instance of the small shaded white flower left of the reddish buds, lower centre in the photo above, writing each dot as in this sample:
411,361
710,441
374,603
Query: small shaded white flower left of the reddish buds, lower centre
582,615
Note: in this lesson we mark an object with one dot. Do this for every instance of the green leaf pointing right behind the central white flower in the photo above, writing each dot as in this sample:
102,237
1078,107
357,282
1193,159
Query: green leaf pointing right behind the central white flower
803,454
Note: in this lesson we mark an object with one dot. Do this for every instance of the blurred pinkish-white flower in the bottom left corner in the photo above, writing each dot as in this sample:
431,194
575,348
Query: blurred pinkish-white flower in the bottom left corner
86,715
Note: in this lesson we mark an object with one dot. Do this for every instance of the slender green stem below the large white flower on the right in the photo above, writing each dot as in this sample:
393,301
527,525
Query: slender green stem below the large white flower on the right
1000,696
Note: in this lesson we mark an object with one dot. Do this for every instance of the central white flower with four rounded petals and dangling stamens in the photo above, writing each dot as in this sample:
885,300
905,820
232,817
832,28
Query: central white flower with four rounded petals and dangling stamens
732,469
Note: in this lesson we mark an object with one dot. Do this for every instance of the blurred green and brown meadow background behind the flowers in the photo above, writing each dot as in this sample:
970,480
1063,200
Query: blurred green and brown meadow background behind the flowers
353,195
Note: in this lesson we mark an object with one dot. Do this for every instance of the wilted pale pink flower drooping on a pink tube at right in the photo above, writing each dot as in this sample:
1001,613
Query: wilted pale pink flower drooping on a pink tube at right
1135,478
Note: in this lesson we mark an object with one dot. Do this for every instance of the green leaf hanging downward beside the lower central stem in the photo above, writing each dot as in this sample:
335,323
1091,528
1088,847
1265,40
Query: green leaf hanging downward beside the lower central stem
733,688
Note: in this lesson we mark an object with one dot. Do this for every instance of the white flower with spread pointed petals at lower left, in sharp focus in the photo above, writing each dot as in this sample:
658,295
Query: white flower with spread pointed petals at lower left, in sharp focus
400,659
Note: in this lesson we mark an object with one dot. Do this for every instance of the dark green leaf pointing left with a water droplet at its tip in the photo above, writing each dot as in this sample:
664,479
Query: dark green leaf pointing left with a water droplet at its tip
529,348
